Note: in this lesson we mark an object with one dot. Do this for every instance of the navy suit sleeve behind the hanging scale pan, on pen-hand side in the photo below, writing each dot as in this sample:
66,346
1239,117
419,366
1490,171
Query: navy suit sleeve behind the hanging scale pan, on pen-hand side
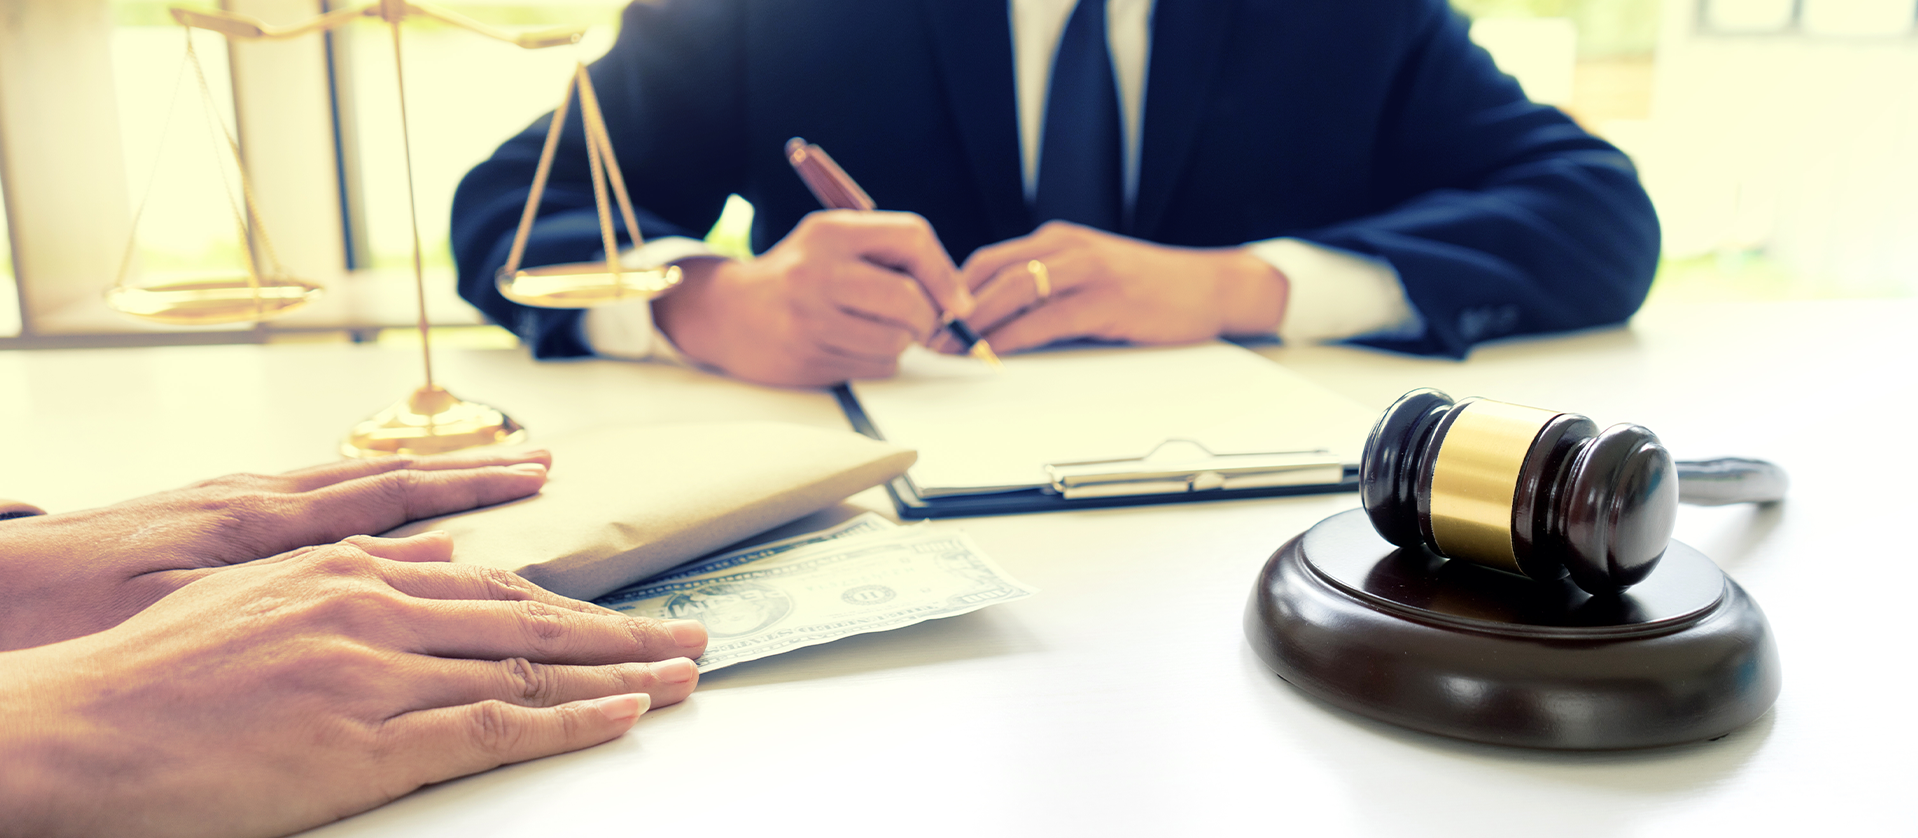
670,97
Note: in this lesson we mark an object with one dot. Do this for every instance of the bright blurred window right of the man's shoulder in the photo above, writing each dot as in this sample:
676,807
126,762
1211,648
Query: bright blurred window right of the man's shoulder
1769,133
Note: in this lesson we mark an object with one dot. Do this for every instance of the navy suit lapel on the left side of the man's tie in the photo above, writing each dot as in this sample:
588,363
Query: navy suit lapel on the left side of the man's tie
973,43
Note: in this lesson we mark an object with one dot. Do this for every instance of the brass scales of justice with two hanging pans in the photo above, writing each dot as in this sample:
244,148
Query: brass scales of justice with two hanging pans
431,419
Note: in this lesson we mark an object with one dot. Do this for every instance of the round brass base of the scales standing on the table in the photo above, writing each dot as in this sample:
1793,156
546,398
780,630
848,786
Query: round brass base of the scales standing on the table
431,423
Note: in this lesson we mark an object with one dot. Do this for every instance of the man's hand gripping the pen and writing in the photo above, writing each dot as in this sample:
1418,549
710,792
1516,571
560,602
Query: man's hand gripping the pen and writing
839,298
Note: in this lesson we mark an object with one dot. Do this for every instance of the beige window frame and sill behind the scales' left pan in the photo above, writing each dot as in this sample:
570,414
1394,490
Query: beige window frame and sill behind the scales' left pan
66,183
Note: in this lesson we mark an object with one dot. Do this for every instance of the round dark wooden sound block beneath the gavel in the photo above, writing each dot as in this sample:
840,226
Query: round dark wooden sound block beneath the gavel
1409,638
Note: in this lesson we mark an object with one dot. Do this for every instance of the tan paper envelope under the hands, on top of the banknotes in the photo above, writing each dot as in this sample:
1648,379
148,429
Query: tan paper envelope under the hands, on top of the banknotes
628,503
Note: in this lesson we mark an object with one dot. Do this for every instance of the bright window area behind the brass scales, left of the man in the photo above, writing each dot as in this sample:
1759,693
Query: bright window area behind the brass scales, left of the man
331,193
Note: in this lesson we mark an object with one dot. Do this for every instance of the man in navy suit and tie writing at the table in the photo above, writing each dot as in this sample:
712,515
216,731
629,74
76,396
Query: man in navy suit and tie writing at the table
1317,170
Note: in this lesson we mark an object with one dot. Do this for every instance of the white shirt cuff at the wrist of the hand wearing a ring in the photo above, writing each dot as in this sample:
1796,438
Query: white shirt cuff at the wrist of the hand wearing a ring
1336,294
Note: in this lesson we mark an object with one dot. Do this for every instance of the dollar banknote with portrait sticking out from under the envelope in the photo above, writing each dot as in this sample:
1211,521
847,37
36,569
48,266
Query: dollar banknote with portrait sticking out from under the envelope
826,590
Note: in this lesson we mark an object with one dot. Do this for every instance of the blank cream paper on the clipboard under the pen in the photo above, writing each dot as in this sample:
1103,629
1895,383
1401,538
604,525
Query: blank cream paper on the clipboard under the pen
983,431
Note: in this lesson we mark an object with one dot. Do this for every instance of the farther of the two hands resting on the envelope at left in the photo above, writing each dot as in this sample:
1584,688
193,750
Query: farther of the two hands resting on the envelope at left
72,574
